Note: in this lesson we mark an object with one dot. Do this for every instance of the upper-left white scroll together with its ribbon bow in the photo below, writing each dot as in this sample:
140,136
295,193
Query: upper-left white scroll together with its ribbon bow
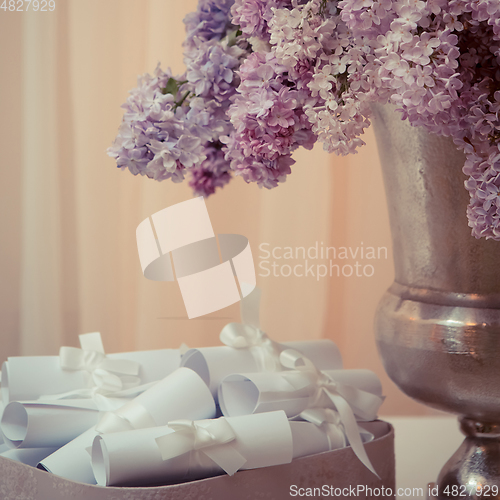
82,372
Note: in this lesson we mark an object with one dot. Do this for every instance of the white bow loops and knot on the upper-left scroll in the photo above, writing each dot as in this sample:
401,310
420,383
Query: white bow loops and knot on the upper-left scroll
107,375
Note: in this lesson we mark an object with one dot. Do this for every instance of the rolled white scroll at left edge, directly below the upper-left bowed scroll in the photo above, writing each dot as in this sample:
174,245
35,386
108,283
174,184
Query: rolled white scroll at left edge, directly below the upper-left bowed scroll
50,424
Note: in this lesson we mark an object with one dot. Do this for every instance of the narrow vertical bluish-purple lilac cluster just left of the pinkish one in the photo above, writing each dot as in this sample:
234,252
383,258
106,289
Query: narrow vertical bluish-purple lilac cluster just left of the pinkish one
211,57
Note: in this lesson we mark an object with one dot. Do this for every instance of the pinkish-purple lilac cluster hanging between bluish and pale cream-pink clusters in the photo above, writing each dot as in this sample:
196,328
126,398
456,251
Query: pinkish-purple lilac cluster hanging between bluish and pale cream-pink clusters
269,121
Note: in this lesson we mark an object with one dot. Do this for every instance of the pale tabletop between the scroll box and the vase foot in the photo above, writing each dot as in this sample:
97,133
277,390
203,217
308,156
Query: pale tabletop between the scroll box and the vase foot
423,446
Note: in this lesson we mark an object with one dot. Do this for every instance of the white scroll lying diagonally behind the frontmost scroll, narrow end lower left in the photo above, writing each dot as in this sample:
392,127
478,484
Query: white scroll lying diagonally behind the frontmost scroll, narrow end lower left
180,395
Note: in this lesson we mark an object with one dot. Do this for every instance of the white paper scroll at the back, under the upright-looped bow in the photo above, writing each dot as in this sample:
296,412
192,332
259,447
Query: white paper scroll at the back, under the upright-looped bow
213,364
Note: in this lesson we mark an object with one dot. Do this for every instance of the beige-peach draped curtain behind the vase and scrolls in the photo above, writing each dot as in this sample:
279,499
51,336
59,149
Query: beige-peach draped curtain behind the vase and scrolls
69,262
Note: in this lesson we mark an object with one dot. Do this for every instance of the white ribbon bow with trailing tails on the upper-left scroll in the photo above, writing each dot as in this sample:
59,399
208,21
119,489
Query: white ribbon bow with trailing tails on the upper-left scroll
118,377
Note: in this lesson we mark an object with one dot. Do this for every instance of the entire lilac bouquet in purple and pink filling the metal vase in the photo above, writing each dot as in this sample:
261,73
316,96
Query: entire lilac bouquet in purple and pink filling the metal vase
264,77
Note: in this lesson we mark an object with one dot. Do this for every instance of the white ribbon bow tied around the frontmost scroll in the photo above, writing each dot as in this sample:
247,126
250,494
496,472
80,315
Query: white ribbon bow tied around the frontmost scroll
210,437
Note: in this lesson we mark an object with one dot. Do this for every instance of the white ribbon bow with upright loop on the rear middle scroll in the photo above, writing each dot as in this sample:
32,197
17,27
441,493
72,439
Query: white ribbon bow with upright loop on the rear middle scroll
248,335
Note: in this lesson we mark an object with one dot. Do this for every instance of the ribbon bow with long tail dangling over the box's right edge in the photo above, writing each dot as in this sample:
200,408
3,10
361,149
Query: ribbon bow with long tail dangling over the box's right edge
339,395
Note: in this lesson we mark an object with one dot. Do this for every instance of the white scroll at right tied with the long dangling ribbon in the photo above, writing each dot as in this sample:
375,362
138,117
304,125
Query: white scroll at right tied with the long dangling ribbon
294,391
